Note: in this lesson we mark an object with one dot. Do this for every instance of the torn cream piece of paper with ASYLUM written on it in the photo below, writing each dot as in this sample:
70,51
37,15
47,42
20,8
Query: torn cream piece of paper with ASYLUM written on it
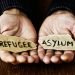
57,42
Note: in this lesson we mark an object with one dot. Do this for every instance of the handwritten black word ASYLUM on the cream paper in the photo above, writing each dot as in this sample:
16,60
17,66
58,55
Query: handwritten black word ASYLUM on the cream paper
54,43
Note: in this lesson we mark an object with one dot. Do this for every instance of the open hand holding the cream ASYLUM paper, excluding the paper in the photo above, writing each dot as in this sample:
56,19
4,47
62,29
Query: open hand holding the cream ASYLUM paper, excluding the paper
60,22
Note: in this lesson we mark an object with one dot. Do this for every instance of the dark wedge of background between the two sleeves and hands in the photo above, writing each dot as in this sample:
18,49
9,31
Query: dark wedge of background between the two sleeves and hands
40,10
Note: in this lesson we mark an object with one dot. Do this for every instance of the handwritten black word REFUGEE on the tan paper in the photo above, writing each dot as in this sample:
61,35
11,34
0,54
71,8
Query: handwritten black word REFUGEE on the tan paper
15,44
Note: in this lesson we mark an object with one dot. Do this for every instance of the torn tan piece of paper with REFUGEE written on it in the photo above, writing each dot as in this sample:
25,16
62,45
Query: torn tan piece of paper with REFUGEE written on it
15,44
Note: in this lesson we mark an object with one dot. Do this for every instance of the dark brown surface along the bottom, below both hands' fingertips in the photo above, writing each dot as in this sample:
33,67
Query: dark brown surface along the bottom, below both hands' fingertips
37,69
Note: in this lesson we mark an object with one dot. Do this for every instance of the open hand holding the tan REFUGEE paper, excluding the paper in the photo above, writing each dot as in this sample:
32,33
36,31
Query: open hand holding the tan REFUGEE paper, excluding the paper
13,22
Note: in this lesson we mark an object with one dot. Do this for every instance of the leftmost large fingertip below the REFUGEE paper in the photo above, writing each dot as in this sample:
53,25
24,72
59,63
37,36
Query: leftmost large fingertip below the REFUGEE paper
7,57
